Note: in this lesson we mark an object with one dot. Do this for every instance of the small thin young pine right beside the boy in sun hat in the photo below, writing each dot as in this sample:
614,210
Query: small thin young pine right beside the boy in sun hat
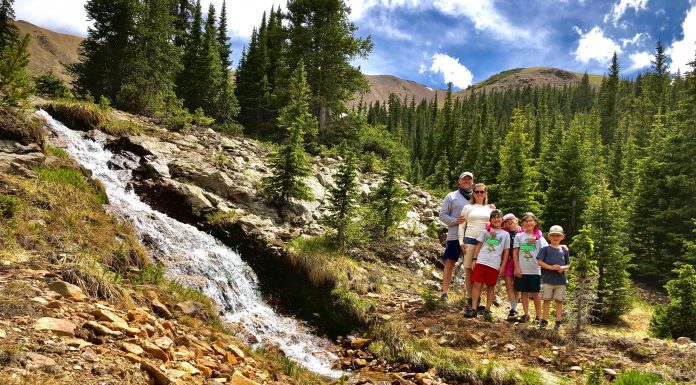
583,278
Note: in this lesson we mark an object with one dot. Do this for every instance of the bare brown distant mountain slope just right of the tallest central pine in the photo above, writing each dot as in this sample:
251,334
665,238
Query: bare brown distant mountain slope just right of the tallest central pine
383,85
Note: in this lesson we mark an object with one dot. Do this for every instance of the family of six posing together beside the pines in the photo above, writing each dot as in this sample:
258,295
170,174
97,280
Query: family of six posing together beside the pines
494,245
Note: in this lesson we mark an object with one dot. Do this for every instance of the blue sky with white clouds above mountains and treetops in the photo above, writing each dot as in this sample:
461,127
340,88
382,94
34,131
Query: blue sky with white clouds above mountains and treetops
466,41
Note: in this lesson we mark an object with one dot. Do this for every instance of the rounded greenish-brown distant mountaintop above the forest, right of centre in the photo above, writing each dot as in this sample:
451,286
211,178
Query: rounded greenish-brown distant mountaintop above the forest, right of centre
532,76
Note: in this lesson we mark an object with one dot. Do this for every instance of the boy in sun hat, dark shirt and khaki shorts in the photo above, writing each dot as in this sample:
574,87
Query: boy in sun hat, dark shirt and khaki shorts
554,262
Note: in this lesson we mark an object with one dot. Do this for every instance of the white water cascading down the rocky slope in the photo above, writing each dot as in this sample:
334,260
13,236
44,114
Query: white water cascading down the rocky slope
196,259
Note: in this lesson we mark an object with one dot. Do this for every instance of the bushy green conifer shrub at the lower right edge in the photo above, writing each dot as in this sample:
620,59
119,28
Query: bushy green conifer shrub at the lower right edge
678,318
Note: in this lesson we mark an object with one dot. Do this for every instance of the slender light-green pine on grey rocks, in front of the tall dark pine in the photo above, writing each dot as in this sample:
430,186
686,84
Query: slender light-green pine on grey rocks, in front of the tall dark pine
290,163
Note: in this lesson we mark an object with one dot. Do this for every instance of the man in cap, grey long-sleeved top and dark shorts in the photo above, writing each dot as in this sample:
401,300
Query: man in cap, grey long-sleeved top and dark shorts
450,214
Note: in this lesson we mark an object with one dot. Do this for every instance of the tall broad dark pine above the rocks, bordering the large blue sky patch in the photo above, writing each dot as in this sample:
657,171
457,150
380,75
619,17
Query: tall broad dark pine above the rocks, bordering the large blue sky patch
321,35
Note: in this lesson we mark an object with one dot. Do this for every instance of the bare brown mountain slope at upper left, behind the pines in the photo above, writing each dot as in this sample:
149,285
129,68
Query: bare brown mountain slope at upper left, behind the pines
49,49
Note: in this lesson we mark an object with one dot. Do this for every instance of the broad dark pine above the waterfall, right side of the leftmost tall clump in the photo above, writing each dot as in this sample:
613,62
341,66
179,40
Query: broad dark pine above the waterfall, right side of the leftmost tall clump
155,60
